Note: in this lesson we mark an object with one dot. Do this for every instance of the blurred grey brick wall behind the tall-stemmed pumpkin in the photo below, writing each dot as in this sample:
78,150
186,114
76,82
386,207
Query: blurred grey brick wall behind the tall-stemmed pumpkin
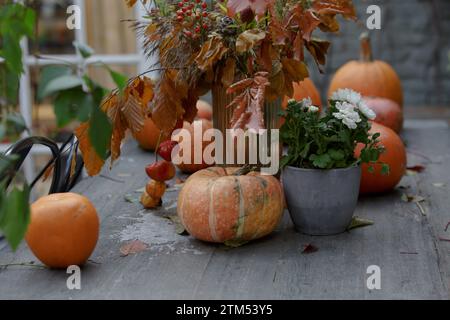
414,39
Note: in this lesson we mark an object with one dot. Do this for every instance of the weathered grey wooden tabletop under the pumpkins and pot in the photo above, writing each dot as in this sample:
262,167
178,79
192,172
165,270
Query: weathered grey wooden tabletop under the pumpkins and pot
403,242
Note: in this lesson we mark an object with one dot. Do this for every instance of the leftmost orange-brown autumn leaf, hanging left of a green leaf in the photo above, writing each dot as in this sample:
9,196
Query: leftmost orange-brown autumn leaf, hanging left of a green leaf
92,161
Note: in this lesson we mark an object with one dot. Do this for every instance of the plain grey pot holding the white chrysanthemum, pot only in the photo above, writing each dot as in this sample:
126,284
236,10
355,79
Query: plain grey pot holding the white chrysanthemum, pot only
321,202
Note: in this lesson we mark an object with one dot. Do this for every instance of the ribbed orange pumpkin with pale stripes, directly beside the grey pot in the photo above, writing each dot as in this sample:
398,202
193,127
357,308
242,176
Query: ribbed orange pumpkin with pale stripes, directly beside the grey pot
215,205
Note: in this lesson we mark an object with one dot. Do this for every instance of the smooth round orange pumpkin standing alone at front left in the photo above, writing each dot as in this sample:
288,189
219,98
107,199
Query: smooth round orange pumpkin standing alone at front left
64,230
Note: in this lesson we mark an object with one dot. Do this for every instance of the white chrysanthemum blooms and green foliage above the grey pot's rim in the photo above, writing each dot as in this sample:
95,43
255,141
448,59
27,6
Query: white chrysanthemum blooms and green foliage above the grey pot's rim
329,141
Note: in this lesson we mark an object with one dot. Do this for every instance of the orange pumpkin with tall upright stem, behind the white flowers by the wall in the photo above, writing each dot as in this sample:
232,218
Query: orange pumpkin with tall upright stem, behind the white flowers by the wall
372,78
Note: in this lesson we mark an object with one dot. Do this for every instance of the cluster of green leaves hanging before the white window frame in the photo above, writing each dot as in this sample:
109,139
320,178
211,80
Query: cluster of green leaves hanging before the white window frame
77,97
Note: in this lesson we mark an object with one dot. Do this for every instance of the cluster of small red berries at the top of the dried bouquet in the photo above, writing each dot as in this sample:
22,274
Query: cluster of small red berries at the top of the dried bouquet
193,14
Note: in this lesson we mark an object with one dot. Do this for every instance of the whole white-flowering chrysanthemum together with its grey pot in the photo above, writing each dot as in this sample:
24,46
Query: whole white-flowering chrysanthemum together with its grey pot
321,174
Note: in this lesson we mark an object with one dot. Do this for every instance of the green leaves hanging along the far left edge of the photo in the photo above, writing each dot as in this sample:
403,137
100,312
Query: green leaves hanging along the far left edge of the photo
16,21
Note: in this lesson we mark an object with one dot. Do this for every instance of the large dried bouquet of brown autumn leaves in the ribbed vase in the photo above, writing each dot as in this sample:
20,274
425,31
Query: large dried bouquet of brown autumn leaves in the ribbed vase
254,48
